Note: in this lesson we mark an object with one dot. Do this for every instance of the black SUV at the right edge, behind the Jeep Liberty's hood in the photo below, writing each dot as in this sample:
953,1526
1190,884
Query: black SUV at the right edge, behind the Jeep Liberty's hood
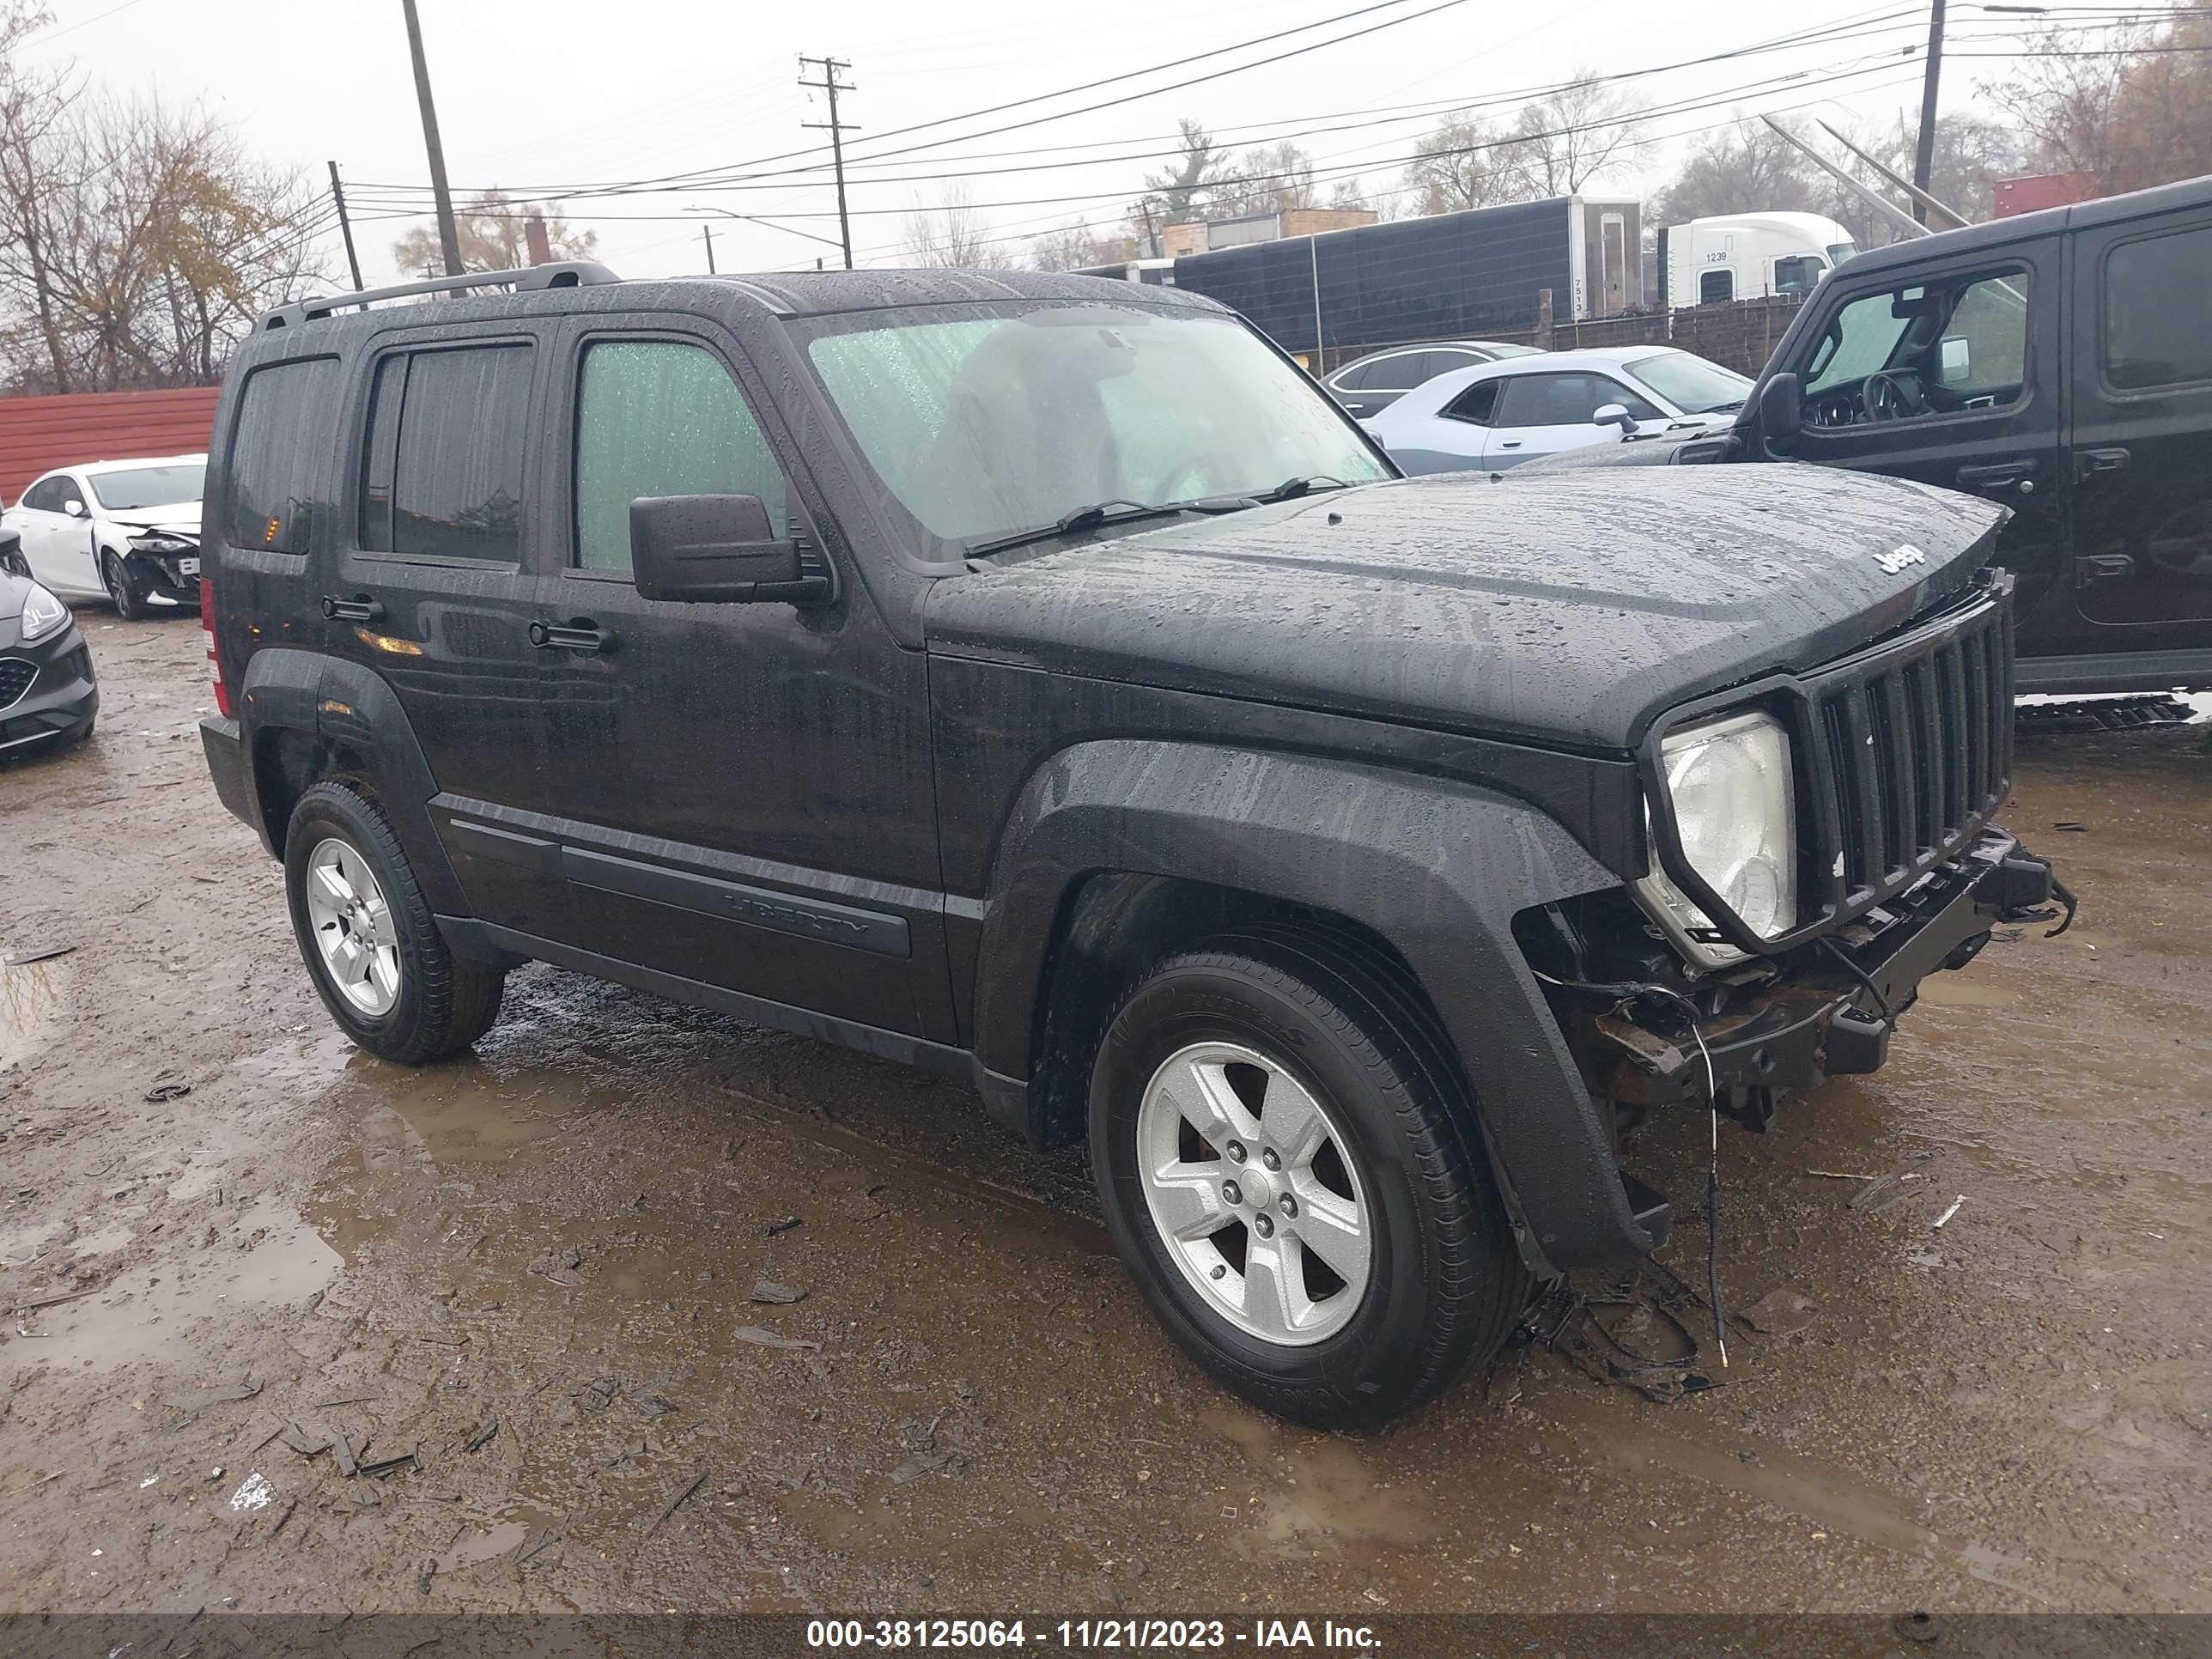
2058,364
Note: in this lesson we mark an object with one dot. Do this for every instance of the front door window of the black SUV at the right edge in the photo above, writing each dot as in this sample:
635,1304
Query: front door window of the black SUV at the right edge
1926,351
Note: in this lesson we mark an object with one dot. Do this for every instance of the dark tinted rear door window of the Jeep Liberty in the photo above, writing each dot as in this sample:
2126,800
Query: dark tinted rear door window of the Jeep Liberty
446,455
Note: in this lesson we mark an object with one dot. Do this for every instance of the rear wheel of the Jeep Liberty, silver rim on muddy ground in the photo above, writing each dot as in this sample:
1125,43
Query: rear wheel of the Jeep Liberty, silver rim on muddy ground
368,935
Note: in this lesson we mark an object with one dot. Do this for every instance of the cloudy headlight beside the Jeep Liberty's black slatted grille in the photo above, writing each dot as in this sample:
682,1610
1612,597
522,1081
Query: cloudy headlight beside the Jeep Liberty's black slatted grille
1735,813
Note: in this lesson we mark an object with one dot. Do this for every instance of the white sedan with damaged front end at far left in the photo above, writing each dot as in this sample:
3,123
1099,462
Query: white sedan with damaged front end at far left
125,530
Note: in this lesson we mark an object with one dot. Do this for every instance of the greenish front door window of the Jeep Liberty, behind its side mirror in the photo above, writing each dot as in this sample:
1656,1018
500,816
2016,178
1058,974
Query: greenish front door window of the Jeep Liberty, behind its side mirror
660,419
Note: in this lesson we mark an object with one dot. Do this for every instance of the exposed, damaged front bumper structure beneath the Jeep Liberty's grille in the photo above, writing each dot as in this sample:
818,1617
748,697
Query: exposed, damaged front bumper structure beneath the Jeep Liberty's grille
1830,1008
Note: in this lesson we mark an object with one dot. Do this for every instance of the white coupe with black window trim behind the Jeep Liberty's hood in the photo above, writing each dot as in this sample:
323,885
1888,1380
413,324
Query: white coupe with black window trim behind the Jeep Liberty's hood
1501,415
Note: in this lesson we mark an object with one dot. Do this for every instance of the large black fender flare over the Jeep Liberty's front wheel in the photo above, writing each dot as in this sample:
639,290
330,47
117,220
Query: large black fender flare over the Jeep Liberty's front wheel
1432,866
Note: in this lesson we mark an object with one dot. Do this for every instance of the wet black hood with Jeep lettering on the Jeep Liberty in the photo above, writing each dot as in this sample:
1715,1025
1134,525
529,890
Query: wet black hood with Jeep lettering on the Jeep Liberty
1569,609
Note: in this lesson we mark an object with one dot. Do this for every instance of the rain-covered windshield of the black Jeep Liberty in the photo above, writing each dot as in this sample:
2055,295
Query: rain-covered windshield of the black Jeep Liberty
997,421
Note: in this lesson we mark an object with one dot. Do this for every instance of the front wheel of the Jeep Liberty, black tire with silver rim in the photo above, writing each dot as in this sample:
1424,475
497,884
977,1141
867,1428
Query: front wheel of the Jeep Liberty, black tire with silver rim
1291,1171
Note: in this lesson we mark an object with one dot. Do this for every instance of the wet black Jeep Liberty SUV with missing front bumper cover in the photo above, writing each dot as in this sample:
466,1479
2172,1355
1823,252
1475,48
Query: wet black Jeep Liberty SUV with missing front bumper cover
1043,682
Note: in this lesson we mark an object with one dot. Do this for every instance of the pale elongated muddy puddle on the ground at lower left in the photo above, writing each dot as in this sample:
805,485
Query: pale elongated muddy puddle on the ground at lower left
147,1315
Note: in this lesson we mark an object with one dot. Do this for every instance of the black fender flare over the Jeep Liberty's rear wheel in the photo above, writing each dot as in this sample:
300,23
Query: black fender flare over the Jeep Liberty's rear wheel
351,707
